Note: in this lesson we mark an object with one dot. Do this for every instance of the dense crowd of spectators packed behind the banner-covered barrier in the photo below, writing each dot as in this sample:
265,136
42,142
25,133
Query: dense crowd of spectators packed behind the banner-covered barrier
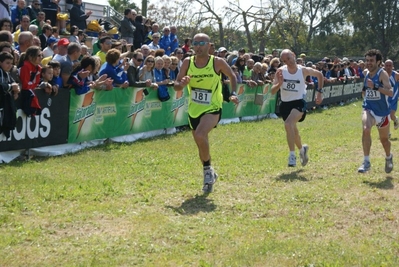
46,56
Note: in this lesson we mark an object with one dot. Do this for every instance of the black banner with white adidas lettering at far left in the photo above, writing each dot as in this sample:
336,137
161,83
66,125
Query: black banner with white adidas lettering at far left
49,128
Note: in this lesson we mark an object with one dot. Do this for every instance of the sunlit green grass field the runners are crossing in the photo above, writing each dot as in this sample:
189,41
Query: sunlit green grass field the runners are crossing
140,204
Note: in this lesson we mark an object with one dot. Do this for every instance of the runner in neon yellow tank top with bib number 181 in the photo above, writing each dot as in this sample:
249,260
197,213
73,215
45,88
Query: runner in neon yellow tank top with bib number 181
201,74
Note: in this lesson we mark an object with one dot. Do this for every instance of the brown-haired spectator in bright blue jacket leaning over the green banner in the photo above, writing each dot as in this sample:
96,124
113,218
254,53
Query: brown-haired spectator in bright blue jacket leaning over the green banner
114,70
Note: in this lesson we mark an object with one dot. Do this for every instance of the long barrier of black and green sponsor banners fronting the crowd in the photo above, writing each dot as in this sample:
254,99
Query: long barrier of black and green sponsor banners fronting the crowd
72,119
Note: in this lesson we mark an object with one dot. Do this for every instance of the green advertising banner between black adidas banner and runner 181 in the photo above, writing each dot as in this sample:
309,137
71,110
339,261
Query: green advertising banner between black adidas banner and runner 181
104,114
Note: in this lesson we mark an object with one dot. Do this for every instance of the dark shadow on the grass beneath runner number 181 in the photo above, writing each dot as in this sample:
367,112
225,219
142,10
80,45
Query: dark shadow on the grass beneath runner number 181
195,205
